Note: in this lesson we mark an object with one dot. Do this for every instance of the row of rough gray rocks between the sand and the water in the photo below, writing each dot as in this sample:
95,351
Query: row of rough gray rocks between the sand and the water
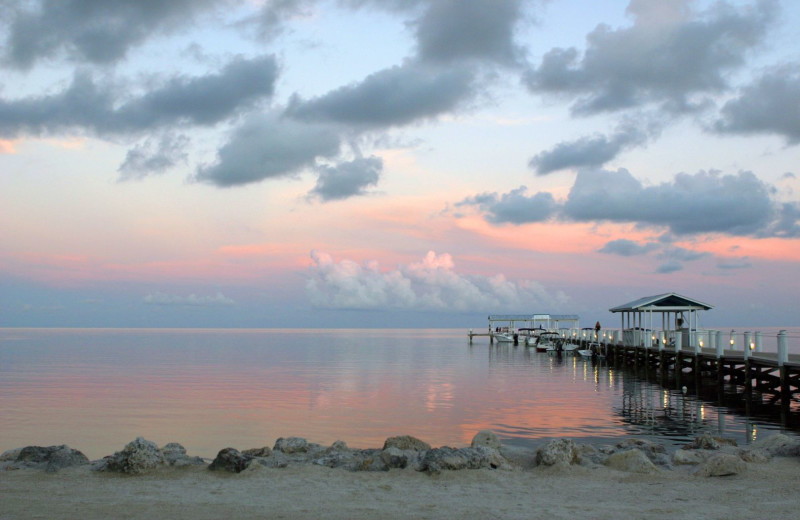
706,456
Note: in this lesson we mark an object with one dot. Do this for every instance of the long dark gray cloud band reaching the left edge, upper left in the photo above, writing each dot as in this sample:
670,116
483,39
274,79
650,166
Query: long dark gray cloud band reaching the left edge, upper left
99,108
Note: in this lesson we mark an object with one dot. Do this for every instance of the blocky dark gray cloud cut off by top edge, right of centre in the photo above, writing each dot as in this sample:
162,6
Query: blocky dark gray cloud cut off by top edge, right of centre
453,30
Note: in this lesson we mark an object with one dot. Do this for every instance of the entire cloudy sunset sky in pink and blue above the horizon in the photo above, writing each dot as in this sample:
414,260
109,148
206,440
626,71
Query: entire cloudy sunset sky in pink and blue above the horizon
396,163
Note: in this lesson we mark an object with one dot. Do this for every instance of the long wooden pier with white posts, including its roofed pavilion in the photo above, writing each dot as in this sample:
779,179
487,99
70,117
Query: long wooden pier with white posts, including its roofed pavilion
677,351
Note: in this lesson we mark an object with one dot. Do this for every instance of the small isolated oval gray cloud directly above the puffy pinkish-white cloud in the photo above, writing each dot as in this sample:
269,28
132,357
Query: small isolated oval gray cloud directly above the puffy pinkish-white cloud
347,179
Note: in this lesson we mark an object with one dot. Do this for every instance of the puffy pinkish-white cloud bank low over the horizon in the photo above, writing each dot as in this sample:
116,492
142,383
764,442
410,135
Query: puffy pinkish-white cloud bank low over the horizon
431,284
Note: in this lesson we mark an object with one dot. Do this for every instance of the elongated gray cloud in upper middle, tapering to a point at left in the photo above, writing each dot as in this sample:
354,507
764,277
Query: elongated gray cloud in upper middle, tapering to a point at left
395,96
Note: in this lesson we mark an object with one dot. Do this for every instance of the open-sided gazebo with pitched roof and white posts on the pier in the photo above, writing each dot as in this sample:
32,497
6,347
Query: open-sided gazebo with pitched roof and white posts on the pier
678,316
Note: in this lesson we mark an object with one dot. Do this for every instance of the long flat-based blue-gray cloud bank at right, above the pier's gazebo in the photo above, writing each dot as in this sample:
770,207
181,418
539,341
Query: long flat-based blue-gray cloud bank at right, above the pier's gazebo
705,202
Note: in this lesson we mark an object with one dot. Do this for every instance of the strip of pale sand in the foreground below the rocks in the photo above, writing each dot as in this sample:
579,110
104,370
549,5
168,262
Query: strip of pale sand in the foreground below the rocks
768,490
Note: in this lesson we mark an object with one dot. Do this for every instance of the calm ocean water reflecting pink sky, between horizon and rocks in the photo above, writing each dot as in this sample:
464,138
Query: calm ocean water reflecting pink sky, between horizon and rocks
97,389
